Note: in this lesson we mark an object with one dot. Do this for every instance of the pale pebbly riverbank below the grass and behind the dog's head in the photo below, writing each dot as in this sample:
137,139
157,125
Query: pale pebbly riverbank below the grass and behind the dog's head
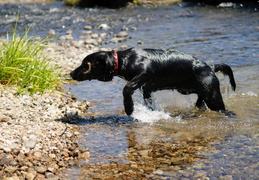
33,143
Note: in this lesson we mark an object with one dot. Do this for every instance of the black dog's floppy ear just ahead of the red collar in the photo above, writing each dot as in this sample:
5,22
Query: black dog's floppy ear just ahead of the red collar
107,59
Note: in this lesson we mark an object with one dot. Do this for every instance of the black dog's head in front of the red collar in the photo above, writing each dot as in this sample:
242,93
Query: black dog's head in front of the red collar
99,65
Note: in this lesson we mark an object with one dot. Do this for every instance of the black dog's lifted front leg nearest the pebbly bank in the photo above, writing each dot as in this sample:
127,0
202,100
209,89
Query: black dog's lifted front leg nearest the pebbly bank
129,89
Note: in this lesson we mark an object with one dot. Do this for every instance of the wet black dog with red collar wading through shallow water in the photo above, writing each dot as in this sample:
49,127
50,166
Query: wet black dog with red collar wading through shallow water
152,70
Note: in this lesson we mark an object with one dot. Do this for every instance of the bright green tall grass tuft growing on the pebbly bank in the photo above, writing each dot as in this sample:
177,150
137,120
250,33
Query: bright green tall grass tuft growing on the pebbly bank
23,64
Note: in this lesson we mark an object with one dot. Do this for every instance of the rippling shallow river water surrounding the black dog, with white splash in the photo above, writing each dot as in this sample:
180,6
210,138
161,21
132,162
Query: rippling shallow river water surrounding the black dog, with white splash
204,144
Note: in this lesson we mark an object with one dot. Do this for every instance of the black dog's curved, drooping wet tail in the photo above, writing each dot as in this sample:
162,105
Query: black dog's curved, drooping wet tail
226,70
